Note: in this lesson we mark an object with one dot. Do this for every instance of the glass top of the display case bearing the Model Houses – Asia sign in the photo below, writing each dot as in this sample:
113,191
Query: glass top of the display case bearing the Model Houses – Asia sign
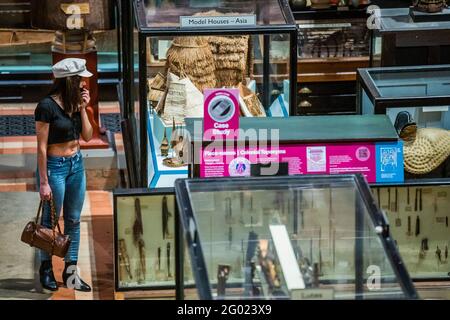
254,15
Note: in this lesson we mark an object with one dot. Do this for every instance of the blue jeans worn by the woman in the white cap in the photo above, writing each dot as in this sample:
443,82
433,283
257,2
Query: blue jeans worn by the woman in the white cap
67,180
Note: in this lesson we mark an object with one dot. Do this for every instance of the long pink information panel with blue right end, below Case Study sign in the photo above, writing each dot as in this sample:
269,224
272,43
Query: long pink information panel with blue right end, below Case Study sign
376,163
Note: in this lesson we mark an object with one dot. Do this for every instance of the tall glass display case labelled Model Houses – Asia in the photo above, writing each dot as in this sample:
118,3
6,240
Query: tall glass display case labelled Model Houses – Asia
188,46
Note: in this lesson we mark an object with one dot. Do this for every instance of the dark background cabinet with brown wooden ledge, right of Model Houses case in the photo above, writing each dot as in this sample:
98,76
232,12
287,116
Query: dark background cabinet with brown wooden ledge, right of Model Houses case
332,43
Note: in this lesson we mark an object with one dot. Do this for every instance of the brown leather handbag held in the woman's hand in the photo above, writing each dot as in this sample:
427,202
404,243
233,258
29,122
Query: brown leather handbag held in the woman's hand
51,241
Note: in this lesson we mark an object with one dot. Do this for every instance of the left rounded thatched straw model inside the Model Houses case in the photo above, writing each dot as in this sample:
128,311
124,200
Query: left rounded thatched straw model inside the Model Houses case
192,56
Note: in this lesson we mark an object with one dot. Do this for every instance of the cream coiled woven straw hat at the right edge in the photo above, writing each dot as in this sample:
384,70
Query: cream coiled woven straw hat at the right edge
429,150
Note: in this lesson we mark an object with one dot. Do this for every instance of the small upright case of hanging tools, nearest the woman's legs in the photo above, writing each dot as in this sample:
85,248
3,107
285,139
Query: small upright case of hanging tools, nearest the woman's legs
144,242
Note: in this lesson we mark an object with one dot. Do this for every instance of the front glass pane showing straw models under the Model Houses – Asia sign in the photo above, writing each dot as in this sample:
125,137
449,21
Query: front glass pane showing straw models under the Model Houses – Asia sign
257,65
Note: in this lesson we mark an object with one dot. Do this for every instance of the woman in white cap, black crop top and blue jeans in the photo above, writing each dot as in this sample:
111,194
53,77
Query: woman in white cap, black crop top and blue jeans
61,119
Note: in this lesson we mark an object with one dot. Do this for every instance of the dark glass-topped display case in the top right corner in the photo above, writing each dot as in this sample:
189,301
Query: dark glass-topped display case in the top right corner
400,41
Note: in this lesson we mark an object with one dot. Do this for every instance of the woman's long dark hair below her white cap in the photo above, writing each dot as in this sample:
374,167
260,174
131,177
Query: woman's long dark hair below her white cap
68,89
